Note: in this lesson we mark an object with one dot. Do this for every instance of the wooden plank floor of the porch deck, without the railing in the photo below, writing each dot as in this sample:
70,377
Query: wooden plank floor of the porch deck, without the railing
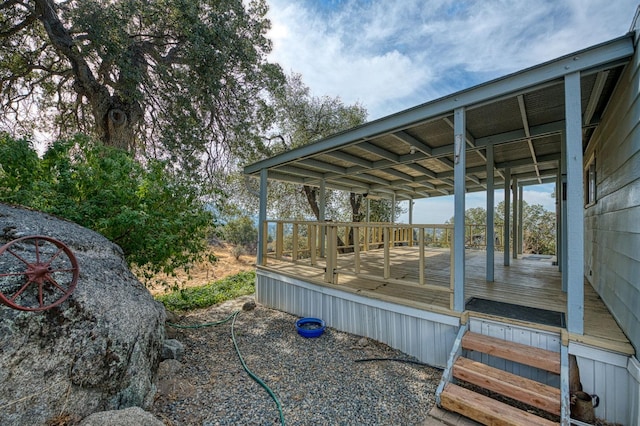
528,282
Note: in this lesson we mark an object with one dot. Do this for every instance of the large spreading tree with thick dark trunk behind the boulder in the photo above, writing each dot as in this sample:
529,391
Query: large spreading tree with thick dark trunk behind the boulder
185,79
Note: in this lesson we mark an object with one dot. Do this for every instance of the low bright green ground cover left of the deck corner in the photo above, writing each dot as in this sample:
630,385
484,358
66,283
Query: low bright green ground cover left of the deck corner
219,291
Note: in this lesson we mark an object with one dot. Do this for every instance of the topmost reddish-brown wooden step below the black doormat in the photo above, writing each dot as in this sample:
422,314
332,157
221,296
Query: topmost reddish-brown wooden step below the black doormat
523,354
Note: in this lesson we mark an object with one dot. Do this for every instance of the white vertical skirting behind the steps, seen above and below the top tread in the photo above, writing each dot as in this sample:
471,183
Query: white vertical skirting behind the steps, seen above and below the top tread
514,333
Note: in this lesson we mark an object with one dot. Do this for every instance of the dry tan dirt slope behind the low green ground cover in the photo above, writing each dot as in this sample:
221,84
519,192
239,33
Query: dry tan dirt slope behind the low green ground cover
205,272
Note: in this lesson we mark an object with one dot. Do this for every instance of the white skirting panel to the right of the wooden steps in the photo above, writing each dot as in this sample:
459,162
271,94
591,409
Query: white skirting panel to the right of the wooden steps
615,378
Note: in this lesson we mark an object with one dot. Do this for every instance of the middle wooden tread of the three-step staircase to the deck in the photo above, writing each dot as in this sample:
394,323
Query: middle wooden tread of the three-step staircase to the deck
525,390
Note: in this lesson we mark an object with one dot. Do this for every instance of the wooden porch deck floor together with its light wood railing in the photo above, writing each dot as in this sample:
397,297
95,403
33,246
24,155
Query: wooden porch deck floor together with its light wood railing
418,272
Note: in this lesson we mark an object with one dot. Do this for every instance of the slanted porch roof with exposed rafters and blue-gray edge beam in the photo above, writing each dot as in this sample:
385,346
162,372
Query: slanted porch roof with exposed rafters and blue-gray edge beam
410,154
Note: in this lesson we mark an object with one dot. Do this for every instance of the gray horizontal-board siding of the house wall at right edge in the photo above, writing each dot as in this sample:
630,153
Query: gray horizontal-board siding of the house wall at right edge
612,234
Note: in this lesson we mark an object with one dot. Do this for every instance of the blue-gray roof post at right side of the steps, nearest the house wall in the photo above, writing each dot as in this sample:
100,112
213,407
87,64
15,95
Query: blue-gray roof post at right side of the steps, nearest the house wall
575,203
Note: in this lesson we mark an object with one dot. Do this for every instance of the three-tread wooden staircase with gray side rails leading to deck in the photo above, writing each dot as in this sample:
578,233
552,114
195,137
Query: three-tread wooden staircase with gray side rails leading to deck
467,382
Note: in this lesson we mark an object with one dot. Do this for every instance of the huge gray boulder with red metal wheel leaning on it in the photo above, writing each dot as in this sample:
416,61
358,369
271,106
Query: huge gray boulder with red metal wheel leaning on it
99,350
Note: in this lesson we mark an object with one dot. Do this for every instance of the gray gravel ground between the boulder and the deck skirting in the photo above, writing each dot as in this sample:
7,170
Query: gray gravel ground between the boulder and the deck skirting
317,381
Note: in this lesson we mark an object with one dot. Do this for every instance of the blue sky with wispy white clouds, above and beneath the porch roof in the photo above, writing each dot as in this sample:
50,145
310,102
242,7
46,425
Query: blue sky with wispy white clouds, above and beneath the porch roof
390,55
